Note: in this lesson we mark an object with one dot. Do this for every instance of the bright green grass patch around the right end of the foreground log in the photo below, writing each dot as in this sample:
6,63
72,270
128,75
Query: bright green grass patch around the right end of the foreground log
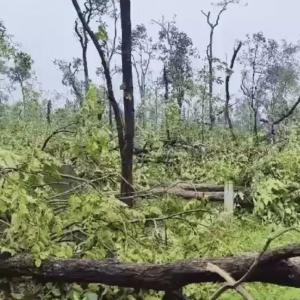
245,235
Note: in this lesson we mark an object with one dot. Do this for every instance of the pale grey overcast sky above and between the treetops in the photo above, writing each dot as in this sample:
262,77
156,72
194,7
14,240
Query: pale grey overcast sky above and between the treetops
45,28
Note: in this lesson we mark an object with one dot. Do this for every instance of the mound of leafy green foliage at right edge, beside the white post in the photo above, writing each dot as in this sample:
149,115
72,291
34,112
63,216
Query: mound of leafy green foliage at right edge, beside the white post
276,185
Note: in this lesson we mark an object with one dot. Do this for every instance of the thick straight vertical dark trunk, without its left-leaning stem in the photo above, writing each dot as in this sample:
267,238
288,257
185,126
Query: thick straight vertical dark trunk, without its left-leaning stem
127,189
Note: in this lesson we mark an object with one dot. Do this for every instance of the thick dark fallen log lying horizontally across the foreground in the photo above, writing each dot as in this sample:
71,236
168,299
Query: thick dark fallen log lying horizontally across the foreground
281,267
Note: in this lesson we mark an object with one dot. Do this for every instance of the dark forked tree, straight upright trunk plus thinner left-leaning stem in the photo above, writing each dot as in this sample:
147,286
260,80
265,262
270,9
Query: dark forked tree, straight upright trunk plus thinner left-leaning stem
126,130
